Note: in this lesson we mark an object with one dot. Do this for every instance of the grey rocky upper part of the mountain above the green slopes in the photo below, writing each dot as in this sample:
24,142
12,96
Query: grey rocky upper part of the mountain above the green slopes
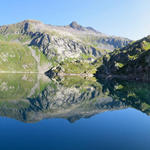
61,42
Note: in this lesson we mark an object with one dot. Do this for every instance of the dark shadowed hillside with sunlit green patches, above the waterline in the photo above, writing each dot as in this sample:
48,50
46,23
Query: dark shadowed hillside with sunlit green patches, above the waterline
131,62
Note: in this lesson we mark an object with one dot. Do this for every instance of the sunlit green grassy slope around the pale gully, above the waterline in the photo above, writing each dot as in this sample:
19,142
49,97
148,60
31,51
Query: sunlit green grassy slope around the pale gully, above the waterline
14,42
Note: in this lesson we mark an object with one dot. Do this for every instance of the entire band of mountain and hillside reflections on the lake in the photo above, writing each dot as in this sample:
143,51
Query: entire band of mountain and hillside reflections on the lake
31,97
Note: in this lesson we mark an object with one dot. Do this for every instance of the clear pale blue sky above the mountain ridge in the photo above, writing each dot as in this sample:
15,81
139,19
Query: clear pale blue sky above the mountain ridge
127,18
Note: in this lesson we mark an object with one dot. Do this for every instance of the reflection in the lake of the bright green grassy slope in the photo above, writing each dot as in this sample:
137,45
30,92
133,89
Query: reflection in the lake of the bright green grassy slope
19,86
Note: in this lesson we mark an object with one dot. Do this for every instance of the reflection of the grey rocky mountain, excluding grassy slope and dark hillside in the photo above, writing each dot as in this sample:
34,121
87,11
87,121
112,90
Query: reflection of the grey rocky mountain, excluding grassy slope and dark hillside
70,98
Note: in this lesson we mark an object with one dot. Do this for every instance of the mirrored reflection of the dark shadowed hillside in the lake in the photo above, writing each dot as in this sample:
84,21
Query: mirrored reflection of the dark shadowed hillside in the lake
132,93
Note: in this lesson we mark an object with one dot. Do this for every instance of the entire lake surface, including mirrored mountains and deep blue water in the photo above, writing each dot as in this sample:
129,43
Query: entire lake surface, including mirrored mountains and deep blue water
73,113
